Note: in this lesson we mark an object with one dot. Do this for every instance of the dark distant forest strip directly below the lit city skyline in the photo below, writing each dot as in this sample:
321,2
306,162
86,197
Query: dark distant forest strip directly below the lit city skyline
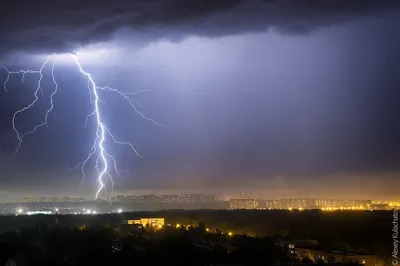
360,231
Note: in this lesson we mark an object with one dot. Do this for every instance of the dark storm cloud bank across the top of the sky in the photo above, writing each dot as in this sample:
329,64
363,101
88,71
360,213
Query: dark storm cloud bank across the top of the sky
59,26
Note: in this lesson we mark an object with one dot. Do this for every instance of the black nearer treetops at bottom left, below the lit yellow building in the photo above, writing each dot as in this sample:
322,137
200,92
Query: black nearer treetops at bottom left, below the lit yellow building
167,246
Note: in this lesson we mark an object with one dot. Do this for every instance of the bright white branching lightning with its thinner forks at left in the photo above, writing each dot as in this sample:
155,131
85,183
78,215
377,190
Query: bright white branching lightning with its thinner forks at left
104,162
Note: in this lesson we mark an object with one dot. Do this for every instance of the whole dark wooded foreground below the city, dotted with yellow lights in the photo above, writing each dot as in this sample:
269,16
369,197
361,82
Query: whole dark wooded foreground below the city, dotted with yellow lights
203,238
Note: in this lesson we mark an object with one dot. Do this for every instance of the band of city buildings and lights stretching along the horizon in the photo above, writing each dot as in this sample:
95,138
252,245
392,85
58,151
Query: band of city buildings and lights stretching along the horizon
132,203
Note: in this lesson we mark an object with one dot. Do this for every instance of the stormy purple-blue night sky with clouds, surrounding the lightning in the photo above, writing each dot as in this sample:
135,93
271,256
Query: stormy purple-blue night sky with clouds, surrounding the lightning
273,97
